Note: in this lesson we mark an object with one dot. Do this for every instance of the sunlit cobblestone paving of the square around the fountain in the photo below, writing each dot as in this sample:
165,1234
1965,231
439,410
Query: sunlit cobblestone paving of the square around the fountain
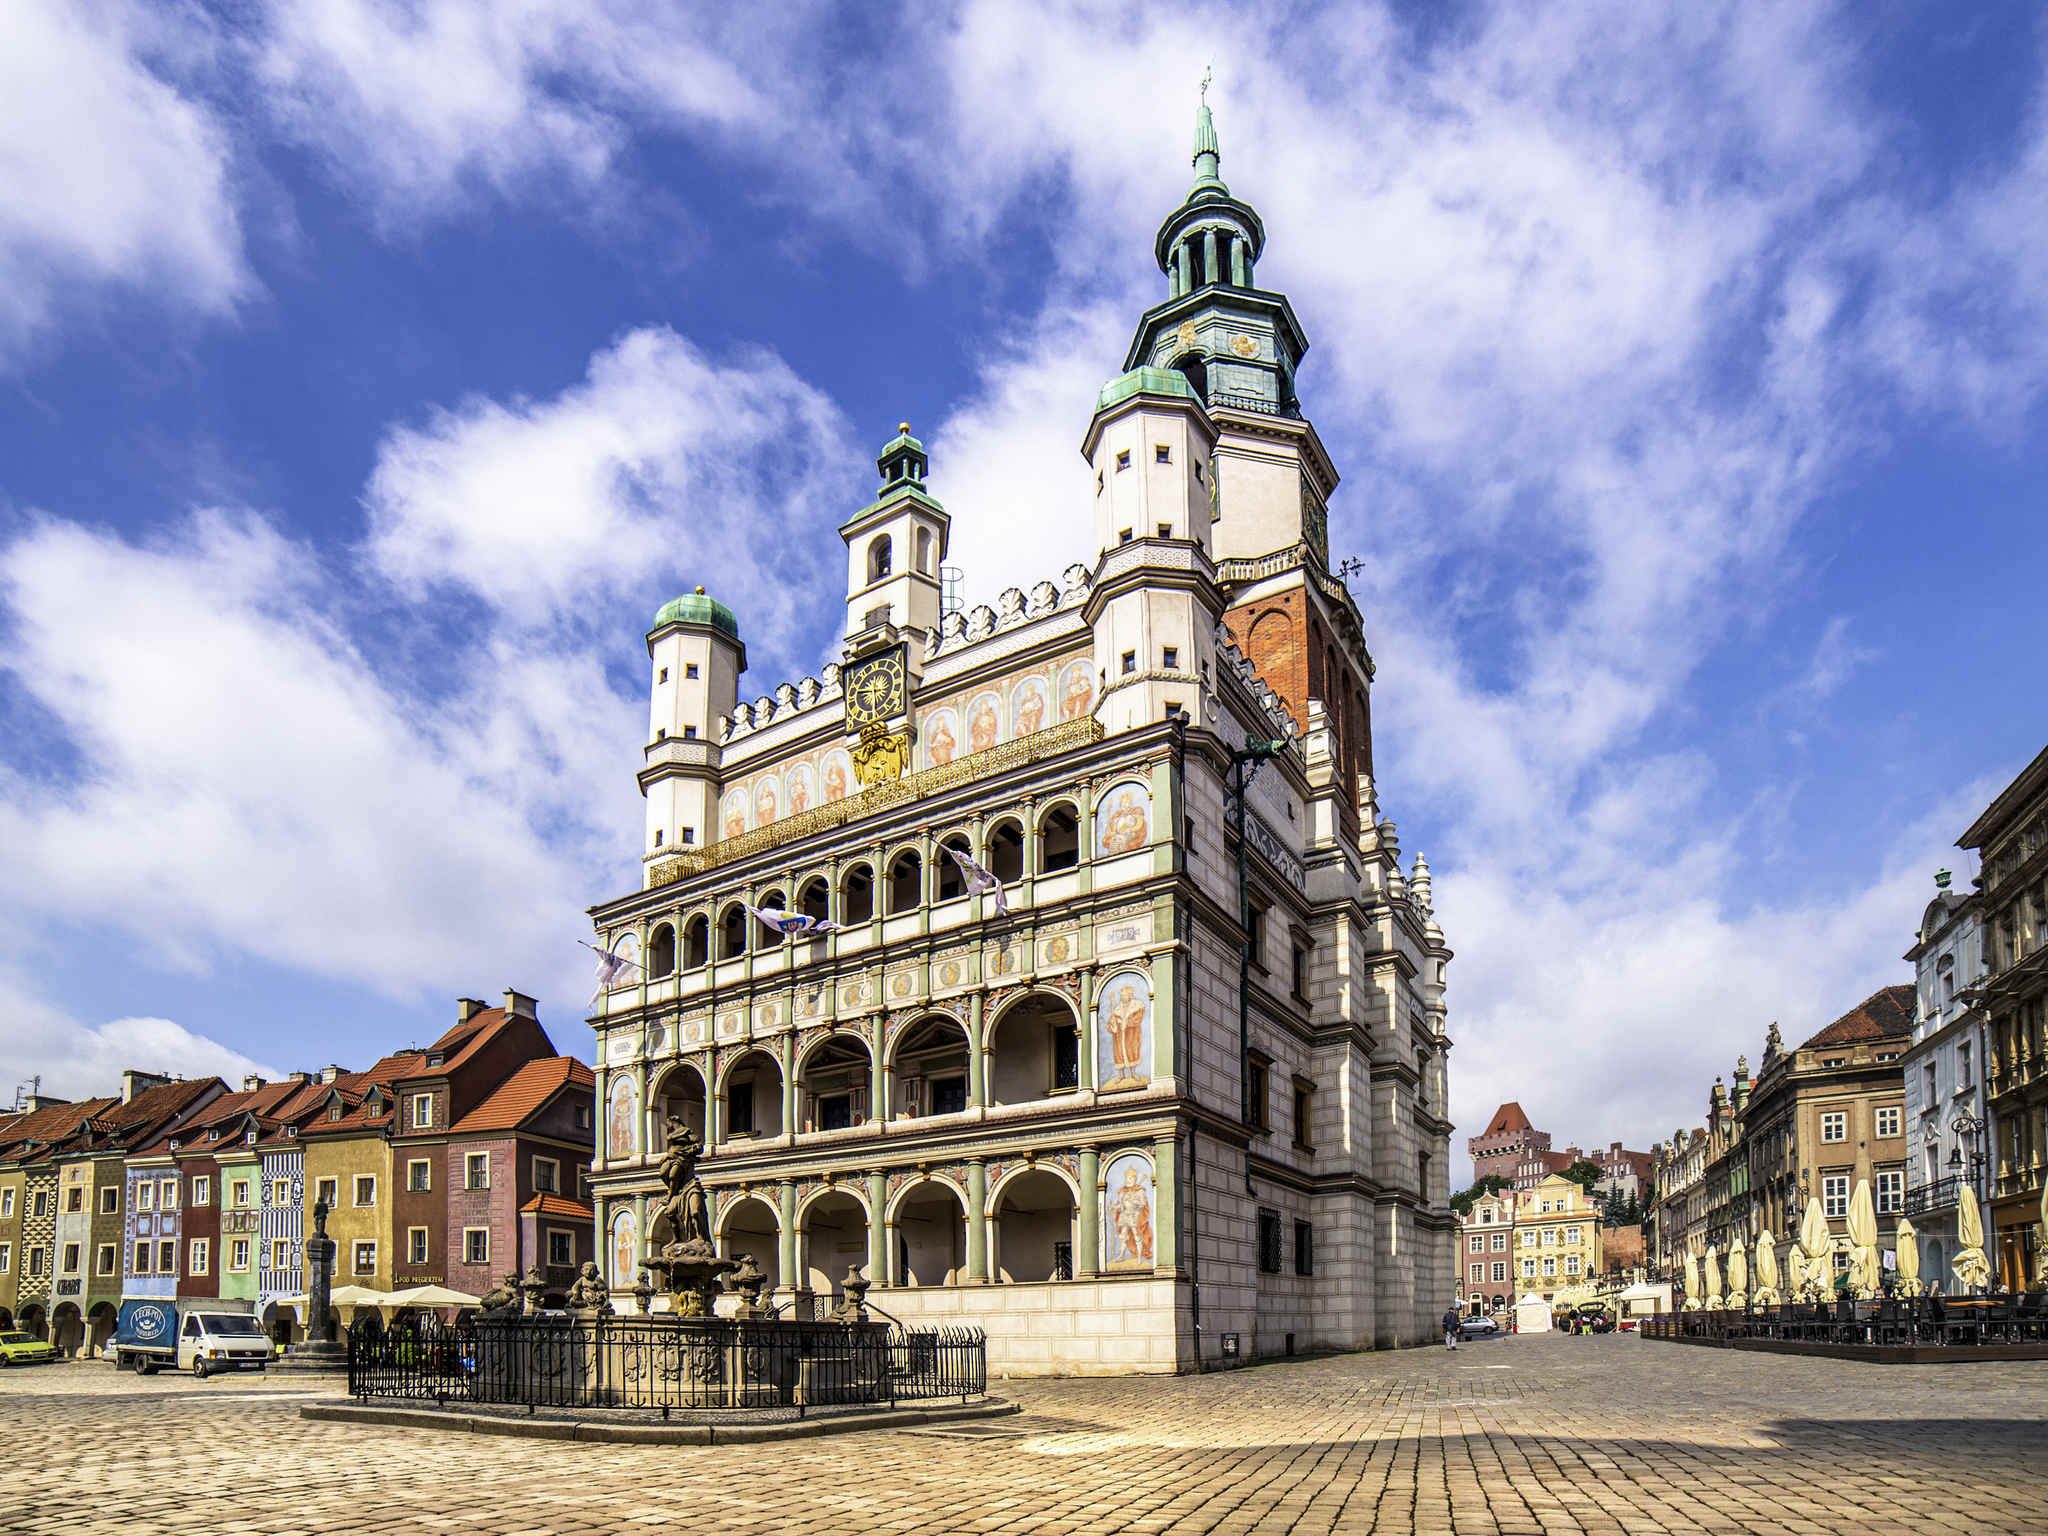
1523,1435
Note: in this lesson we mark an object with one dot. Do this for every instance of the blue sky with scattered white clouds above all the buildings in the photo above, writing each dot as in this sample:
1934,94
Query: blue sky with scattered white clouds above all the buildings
370,374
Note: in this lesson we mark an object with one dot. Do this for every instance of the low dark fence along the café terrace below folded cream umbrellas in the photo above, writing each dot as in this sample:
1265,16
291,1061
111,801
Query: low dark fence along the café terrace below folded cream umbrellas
1959,1322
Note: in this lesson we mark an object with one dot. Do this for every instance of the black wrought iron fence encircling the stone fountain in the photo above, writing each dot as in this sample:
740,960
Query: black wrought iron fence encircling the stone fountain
665,1363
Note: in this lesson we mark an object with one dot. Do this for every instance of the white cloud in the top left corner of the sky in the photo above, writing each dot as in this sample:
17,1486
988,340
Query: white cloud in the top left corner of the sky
114,177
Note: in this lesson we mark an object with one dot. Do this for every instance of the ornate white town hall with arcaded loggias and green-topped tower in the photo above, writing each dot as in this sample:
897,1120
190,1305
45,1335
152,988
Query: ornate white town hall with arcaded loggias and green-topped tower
1175,1097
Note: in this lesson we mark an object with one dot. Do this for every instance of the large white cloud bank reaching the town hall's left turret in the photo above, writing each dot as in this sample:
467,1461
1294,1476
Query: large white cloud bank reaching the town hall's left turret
253,781
